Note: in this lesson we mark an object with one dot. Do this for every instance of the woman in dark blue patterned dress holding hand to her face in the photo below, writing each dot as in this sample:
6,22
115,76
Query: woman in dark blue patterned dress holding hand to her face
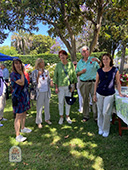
20,98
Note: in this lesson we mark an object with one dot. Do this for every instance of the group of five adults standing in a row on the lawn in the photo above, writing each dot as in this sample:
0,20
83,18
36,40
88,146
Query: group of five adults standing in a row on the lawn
94,78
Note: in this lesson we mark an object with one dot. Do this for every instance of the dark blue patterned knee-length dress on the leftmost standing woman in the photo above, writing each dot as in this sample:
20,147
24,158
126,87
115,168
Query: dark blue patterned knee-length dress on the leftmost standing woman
21,92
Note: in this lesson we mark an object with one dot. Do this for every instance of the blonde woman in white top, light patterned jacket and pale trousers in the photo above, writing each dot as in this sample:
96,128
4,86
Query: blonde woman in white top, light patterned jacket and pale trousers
43,92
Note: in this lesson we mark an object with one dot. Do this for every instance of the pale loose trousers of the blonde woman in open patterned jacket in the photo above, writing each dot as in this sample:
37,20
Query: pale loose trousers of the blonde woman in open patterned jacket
42,100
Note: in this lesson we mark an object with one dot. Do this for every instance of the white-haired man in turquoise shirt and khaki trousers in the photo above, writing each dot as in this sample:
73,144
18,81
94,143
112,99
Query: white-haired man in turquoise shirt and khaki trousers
86,70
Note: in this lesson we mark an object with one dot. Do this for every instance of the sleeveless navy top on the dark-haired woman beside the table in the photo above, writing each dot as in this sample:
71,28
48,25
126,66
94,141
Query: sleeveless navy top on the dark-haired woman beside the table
106,85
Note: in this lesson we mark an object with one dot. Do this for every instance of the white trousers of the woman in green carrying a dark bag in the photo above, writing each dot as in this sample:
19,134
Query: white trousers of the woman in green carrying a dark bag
63,91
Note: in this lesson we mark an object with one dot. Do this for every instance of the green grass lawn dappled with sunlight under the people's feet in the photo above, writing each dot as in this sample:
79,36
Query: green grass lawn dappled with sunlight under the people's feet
63,147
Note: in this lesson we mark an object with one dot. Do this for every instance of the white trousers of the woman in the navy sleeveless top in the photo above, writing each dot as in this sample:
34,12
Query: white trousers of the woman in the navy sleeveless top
104,106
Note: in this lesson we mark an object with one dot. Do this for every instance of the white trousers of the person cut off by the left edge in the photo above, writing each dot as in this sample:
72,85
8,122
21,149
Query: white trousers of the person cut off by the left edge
2,104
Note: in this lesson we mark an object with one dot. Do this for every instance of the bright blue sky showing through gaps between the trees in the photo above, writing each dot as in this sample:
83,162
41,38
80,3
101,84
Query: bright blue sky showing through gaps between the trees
42,30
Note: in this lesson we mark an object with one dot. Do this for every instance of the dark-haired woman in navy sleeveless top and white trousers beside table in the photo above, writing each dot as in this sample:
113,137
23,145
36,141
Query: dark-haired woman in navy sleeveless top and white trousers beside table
104,91
